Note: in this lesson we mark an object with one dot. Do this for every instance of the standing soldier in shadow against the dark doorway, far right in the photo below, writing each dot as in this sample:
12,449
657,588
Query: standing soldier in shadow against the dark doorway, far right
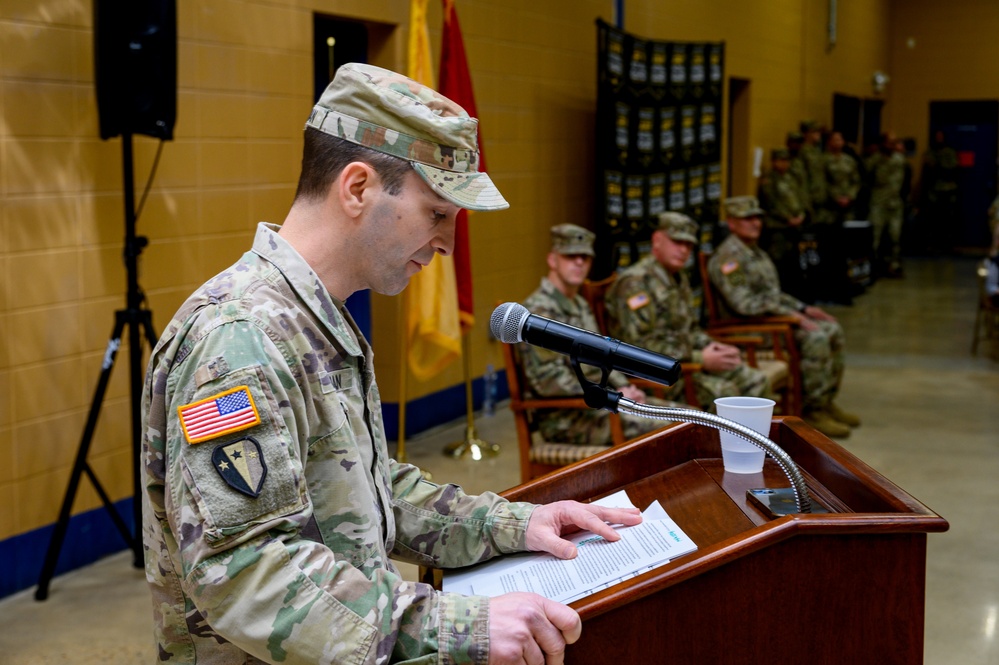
938,211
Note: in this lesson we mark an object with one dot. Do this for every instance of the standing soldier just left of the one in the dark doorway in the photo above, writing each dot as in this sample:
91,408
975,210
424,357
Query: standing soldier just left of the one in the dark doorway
886,170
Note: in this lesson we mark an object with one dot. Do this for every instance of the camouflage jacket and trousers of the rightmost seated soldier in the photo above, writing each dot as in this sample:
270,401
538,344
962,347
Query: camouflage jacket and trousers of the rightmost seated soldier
748,284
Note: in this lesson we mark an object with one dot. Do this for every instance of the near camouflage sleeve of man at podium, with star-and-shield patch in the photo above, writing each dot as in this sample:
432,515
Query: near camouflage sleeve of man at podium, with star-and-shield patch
240,513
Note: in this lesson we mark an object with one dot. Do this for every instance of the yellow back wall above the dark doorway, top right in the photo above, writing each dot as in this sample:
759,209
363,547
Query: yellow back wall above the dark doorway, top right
953,55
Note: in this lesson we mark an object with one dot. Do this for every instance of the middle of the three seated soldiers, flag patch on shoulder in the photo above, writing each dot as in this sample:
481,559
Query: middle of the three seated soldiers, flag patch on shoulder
651,305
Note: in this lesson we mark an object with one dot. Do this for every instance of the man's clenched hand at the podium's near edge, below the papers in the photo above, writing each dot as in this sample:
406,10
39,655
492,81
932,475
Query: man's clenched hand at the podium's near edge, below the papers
528,628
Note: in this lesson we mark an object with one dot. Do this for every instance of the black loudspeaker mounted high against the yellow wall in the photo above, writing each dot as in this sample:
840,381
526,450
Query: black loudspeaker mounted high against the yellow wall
135,66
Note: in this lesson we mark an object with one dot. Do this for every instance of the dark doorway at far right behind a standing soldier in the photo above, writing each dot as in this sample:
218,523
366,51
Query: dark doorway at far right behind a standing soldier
972,129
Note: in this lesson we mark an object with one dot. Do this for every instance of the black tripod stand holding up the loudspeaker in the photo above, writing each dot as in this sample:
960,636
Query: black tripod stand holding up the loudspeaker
138,320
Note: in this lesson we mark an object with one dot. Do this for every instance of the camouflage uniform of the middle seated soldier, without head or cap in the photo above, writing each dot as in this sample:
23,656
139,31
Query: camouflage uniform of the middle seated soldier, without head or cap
650,308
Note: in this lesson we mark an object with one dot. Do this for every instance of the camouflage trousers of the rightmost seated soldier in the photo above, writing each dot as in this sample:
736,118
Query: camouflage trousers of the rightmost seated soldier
821,354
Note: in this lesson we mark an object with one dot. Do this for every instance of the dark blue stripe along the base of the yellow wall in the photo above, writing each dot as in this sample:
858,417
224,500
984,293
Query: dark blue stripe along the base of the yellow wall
92,535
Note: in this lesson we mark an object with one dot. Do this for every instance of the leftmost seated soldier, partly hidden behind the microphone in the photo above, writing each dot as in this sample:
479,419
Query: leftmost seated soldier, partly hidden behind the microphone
550,374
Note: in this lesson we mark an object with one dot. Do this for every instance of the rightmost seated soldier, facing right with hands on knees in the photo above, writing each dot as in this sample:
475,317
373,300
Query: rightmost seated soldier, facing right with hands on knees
748,286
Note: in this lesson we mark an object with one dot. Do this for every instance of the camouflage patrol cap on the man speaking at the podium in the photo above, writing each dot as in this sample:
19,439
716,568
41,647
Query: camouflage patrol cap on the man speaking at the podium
390,113
